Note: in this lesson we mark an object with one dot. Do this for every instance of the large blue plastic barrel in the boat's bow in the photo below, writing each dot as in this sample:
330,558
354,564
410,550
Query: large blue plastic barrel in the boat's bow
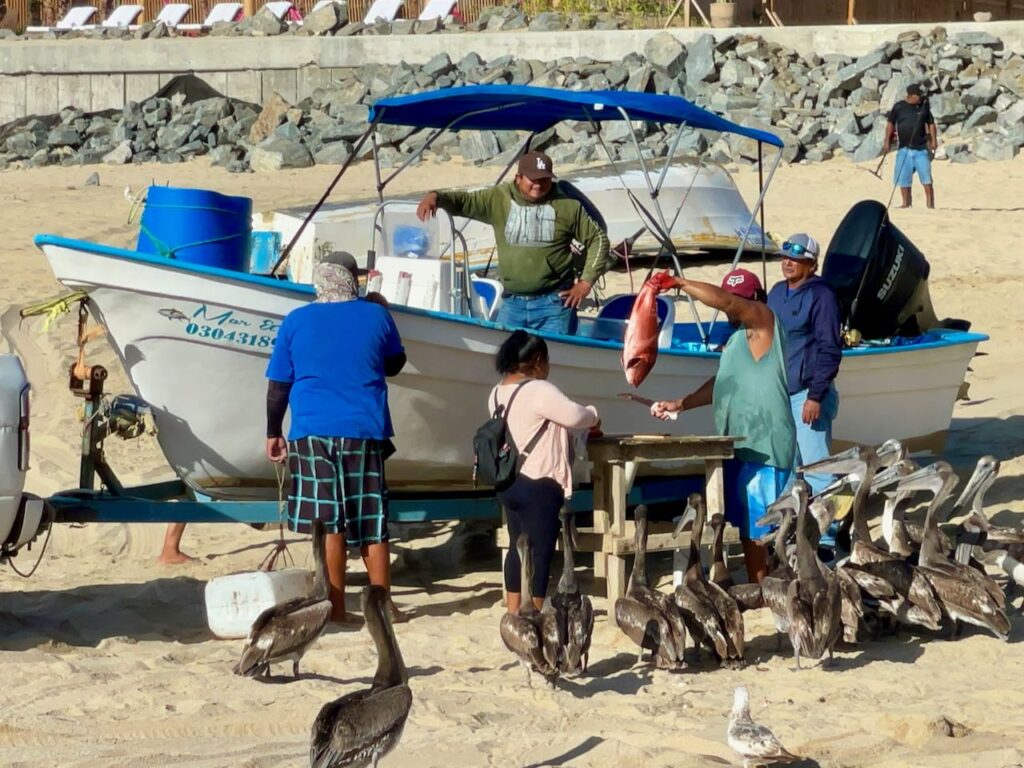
198,227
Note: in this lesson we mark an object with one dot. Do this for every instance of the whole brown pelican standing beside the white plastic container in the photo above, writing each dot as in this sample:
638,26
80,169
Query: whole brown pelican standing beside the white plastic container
285,632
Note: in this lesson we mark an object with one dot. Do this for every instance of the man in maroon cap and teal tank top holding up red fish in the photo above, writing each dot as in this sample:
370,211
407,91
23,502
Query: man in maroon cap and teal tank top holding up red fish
751,400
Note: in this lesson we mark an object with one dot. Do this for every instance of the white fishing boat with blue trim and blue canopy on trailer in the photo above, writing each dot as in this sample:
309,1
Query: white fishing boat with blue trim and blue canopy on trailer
195,340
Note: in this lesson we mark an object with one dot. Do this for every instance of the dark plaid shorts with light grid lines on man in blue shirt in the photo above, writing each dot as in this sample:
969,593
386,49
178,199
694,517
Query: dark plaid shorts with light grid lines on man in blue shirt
340,483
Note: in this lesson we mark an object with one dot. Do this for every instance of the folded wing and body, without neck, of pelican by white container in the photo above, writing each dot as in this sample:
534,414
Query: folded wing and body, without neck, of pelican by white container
283,630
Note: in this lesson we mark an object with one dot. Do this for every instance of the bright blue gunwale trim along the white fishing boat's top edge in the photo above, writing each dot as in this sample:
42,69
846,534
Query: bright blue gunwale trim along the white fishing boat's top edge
936,339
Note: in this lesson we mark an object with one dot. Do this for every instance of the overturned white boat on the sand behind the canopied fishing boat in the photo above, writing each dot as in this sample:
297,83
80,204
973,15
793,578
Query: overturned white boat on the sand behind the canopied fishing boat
706,212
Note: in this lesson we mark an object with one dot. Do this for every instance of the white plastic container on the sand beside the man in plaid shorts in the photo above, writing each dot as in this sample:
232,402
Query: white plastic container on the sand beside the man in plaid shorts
233,603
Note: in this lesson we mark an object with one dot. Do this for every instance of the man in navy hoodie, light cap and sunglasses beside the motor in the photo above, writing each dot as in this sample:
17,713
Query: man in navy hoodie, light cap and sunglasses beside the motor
806,307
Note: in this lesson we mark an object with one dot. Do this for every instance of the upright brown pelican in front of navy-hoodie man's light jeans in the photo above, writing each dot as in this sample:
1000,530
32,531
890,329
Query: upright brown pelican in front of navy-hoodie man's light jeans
814,601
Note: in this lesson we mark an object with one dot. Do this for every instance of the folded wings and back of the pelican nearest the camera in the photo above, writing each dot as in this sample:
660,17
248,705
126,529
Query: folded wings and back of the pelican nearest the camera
353,730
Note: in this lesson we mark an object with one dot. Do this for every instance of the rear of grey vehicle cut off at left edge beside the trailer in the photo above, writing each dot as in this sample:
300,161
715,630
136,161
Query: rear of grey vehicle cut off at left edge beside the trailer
21,516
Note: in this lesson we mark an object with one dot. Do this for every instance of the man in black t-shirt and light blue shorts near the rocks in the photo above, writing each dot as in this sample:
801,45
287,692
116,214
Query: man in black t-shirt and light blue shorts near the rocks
914,125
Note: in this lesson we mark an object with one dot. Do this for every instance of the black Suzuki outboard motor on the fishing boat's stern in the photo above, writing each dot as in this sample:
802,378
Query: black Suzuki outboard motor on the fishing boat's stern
880,277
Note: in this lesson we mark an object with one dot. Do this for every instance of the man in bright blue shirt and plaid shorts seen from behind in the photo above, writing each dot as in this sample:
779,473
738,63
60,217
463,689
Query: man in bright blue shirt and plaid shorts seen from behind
329,367
